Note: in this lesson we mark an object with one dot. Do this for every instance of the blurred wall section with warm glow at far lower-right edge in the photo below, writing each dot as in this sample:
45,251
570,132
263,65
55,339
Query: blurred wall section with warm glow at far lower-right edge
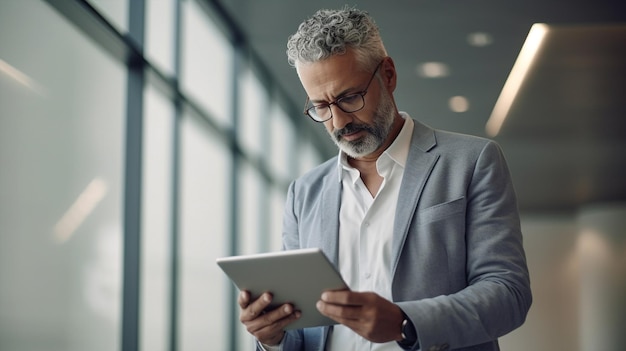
602,252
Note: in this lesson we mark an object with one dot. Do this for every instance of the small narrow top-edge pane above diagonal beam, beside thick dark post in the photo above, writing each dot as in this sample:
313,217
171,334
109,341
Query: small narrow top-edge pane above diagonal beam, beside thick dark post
160,33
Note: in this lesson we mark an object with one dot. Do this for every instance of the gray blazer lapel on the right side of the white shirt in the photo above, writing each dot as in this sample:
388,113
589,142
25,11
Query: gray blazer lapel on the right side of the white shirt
419,165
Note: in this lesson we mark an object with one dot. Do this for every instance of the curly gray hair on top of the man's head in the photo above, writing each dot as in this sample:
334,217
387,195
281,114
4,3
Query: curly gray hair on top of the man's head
332,32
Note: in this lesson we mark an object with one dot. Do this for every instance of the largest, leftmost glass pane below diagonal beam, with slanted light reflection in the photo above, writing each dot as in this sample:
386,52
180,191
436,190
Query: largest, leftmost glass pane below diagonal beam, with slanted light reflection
61,169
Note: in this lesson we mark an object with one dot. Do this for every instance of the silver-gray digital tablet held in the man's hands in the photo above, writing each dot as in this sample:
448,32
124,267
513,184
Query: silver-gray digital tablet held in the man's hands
295,276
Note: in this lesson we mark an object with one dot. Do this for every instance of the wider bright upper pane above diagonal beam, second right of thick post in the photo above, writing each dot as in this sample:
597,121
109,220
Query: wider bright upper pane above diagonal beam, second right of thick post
206,63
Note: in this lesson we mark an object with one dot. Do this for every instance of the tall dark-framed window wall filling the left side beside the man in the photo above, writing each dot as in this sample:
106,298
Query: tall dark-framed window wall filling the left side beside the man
64,202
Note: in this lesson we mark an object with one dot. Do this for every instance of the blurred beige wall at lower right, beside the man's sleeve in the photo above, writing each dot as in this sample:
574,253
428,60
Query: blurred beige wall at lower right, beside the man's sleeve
577,266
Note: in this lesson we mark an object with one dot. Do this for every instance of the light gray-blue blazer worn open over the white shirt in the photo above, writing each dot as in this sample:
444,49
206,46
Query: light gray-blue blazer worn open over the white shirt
459,268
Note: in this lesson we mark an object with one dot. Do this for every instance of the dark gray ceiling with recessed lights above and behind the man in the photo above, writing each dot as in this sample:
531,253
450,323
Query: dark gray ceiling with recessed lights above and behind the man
565,132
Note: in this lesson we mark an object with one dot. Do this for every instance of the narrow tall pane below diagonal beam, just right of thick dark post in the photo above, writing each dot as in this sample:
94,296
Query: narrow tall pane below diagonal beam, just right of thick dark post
156,222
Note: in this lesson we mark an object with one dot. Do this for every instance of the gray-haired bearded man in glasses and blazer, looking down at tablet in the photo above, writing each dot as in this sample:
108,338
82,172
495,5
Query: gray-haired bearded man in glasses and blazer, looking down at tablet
421,223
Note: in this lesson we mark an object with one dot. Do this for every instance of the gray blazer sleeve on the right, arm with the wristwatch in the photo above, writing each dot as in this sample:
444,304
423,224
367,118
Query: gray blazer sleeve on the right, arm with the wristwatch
497,295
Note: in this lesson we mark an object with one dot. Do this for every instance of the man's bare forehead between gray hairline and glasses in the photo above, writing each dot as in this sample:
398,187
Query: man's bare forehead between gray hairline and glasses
325,80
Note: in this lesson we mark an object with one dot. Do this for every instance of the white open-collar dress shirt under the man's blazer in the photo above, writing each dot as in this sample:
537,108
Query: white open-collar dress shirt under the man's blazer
366,232
